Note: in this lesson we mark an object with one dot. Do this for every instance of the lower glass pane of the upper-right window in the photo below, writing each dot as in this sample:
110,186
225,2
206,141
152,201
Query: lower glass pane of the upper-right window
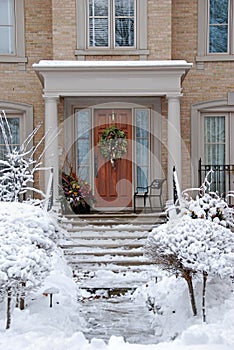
218,39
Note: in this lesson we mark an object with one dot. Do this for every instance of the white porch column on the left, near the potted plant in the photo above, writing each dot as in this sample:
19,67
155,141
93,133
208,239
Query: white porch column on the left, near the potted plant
51,142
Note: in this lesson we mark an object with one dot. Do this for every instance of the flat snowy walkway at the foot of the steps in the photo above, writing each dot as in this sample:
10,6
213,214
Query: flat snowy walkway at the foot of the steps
120,316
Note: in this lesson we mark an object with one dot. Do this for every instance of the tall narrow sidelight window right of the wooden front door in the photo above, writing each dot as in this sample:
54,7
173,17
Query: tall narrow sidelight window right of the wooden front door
142,146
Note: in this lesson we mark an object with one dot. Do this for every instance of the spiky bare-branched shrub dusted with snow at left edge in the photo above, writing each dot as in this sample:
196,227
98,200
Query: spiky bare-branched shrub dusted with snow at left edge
18,167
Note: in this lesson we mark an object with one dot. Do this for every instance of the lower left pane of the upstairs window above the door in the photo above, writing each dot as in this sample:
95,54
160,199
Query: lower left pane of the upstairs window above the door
98,32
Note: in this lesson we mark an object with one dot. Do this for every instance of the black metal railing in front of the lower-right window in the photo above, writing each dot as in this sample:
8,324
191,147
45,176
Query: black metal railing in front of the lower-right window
221,178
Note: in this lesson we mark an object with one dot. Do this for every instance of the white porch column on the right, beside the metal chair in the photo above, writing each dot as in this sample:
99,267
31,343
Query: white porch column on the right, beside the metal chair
173,141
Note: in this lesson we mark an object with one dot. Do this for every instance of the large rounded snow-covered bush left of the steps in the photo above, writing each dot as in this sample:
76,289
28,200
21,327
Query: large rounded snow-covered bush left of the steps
26,245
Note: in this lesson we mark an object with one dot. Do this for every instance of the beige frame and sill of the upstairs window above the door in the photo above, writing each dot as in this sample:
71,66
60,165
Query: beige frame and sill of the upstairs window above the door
141,45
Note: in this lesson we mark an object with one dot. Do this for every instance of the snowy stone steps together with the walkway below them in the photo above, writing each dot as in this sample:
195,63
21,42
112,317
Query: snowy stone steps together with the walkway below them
109,259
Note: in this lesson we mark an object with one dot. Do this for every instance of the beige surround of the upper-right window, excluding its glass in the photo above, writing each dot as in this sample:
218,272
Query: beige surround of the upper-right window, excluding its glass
203,53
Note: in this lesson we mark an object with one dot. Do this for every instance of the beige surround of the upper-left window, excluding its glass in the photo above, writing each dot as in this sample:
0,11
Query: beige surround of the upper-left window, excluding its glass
19,36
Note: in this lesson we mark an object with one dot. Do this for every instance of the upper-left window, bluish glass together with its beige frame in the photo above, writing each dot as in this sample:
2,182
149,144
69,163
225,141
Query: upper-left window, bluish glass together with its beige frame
12,46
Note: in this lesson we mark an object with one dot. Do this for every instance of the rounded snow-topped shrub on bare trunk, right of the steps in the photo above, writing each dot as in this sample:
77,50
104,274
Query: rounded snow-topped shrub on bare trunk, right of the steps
187,247
